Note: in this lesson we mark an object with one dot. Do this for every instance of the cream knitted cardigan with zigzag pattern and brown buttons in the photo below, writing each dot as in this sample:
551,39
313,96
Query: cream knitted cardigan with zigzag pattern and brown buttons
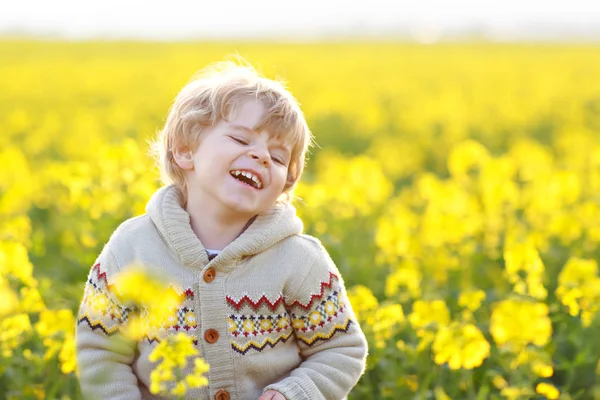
274,302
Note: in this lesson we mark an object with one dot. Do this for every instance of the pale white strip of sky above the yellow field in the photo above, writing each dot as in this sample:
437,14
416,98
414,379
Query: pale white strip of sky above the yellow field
425,20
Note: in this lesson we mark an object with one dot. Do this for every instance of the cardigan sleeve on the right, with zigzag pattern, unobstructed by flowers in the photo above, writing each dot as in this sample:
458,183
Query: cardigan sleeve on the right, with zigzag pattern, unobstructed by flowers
331,343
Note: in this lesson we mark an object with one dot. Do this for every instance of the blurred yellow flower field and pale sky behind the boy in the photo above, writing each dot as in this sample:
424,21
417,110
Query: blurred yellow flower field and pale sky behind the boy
456,181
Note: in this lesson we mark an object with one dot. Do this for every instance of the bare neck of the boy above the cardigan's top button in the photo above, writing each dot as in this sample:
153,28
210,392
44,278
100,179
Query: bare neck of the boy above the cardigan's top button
215,230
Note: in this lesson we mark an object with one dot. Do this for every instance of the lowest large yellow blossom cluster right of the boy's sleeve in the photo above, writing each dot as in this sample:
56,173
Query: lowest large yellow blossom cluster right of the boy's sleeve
461,346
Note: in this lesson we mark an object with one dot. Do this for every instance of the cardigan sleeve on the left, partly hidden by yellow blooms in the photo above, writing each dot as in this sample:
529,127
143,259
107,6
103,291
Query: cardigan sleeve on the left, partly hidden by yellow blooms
104,358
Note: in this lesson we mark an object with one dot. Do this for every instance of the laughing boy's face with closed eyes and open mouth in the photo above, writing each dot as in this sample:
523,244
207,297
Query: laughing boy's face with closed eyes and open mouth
227,152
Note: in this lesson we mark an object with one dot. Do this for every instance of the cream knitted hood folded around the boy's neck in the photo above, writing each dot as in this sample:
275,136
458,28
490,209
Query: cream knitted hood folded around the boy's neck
173,222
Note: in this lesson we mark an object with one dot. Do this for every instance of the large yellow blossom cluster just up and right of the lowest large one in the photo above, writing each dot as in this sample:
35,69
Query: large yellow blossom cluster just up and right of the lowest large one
520,322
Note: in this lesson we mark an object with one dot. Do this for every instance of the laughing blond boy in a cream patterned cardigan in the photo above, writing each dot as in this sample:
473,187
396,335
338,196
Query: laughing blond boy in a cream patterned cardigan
265,304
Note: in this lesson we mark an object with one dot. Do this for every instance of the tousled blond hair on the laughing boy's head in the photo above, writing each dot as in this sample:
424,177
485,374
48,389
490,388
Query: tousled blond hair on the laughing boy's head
211,96
